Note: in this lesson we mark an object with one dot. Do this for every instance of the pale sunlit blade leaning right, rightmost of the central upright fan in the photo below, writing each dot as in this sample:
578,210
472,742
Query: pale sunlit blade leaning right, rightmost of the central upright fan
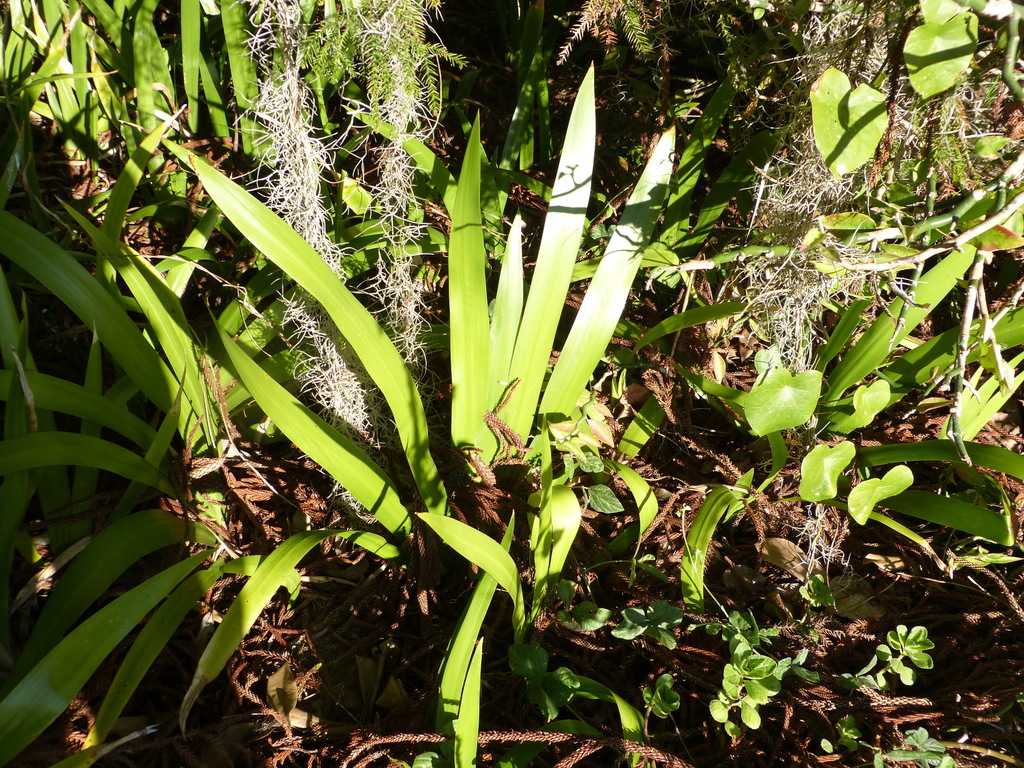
603,308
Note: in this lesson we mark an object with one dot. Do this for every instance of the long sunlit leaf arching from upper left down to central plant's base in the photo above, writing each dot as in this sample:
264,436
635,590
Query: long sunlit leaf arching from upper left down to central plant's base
382,362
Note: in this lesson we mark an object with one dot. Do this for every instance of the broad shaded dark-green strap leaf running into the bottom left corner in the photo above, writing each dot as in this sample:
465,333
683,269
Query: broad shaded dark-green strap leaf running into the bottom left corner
51,686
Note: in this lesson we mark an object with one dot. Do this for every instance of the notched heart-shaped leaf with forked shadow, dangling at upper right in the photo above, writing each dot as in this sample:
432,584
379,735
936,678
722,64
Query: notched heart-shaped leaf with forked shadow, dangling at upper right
848,124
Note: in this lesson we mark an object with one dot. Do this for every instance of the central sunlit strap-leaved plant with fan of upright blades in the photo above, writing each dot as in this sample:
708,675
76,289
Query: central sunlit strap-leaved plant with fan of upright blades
499,362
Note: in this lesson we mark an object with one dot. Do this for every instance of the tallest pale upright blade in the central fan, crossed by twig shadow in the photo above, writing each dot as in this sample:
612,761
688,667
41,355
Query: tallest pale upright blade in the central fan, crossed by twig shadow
558,253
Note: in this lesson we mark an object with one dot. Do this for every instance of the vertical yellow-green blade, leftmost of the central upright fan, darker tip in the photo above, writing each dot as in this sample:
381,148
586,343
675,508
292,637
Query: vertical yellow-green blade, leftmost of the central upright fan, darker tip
468,328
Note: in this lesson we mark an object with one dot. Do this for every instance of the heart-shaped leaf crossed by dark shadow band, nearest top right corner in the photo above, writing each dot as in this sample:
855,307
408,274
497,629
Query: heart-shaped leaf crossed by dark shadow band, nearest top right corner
937,55
